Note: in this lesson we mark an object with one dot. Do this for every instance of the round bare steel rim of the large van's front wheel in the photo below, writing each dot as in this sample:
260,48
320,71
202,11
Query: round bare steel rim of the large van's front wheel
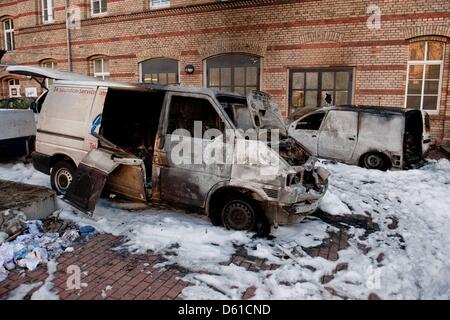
238,215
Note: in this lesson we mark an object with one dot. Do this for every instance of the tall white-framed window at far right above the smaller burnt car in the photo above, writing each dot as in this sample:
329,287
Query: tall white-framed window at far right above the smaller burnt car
425,65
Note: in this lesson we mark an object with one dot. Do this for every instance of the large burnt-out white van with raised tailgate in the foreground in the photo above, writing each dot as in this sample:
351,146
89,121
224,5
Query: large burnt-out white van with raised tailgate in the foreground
99,136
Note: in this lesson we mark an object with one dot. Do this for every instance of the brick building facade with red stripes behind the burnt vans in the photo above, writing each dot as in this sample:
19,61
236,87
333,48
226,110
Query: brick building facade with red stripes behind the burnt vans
295,50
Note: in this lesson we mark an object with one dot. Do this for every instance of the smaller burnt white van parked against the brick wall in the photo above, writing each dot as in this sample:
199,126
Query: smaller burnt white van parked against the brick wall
372,137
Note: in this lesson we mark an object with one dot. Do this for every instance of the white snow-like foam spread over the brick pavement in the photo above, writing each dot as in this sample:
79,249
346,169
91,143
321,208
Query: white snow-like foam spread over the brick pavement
416,252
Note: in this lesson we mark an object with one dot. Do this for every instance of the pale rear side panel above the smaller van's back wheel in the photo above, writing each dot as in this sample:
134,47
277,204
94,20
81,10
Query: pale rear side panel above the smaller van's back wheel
379,132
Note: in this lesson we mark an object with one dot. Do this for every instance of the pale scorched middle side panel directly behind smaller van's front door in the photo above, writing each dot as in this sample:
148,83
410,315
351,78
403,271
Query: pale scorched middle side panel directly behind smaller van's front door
338,135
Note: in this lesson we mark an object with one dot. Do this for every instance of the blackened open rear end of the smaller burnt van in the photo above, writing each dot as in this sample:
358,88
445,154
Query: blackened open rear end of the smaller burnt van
412,141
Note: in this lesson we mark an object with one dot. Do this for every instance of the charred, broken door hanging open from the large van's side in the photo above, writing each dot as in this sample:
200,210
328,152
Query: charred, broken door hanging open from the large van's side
102,167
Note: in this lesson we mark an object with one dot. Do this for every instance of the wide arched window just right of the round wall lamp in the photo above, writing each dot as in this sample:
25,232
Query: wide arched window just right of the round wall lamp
233,72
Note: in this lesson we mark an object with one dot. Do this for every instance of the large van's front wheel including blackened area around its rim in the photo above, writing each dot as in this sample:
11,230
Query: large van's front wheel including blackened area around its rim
242,213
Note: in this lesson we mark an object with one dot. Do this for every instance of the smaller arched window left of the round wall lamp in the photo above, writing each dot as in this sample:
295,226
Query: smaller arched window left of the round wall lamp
159,71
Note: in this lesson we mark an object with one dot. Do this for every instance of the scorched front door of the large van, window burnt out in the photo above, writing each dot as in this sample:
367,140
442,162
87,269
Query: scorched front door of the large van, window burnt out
193,126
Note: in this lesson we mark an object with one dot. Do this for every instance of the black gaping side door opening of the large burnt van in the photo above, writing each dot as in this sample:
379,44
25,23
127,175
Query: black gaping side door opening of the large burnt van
130,120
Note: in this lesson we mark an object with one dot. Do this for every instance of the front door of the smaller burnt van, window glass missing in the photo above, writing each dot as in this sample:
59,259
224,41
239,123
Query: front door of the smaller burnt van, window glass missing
306,130
